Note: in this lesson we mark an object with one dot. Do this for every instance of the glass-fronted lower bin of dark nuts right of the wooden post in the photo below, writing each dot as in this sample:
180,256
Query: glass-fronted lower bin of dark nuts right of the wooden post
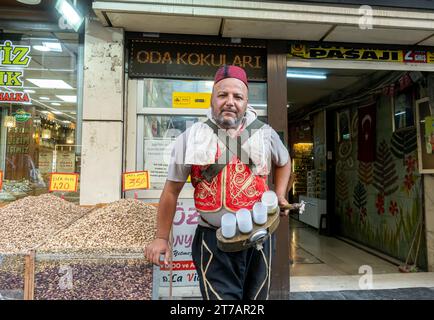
122,276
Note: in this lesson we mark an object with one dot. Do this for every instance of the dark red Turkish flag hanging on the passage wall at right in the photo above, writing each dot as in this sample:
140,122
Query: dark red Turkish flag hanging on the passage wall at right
366,133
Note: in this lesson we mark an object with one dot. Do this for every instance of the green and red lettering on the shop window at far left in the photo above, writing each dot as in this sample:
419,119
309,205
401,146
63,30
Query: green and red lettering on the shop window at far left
13,59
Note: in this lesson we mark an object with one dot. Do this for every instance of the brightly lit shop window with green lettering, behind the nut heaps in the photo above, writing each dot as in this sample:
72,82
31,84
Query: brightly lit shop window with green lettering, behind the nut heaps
38,111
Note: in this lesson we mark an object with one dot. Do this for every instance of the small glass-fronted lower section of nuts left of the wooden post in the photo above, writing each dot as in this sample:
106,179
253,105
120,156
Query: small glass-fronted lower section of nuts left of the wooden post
12,269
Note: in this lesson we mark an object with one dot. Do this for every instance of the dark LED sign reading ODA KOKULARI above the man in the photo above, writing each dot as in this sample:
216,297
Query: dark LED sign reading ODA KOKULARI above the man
194,60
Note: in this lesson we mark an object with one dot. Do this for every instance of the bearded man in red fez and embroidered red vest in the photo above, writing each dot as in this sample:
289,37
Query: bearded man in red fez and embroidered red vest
228,157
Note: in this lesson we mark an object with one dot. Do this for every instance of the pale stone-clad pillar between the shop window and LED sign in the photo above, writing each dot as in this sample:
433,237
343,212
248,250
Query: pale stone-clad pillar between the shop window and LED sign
103,109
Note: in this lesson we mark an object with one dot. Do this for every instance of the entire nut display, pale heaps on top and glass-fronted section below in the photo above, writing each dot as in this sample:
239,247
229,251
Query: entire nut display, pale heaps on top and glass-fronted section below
53,249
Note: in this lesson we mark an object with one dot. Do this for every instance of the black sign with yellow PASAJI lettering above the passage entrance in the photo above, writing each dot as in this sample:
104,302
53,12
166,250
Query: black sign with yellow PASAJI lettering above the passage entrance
360,54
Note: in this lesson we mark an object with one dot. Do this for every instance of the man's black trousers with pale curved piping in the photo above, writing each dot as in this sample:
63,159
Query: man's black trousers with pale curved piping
243,275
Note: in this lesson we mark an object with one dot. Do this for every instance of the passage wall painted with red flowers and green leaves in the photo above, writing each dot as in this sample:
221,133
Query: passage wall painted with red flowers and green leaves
386,222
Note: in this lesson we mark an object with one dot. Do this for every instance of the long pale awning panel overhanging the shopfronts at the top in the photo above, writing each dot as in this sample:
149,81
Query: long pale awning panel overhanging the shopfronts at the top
271,20
